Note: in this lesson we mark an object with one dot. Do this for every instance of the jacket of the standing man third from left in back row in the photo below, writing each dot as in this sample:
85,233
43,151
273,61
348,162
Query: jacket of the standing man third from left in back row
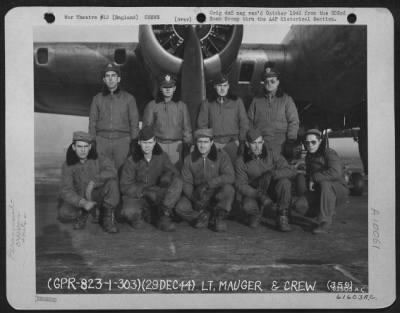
228,119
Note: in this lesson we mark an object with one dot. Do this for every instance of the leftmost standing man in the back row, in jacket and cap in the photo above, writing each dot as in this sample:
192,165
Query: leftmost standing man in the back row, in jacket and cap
114,118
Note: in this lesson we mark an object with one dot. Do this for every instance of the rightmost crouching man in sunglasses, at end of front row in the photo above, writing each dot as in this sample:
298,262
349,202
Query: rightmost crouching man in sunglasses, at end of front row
327,187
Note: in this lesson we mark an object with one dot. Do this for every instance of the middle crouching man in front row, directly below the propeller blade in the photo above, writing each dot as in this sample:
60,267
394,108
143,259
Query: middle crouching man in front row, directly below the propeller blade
208,176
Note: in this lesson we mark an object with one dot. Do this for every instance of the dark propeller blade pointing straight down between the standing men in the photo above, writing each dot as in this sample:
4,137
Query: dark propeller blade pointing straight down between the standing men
193,90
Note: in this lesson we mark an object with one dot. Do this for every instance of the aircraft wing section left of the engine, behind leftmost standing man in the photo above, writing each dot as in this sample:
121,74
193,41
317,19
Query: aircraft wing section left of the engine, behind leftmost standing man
68,75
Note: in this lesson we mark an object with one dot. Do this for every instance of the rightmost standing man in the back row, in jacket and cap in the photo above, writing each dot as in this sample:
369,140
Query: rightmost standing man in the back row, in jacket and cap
275,114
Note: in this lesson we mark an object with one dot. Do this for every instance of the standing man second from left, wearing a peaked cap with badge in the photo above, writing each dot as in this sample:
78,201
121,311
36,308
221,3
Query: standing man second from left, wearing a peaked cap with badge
170,120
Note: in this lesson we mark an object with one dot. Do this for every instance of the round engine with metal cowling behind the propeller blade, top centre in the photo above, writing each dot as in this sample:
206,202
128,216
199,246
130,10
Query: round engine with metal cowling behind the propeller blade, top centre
162,47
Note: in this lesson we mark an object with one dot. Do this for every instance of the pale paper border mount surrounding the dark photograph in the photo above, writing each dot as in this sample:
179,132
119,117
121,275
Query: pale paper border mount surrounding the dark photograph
20,195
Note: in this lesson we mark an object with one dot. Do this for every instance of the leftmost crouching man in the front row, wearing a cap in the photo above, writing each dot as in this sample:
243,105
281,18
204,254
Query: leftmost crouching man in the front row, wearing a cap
88,182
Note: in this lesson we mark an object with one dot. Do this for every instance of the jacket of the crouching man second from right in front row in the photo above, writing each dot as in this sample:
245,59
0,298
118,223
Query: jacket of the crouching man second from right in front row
249,168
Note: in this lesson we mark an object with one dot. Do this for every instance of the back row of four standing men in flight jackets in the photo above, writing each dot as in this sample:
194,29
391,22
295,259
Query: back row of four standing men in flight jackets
114,118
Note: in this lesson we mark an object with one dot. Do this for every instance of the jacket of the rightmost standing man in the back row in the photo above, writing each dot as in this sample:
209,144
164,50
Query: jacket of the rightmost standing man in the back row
276,115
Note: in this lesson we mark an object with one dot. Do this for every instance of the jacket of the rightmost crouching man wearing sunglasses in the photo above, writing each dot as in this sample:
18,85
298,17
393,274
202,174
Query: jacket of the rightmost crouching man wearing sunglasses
324,165
